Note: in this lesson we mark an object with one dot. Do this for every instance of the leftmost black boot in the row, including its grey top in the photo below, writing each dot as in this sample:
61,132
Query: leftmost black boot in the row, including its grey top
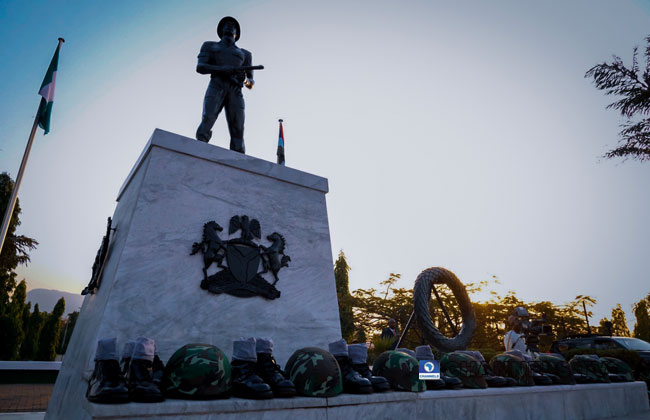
106,385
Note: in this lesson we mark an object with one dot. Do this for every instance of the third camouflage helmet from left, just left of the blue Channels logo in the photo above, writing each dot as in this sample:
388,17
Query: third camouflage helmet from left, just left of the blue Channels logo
402,371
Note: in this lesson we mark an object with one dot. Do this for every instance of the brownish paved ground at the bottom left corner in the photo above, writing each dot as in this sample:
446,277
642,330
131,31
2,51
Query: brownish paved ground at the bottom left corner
16,398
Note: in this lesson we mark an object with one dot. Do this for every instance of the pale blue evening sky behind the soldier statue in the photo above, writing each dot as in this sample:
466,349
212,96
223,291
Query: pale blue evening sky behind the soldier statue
455,134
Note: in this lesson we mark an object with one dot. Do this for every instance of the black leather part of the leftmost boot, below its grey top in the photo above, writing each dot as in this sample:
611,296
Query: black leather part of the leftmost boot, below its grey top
106,385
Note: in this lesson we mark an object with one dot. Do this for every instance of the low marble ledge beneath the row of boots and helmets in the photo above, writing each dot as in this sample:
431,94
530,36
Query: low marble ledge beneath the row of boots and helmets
591,401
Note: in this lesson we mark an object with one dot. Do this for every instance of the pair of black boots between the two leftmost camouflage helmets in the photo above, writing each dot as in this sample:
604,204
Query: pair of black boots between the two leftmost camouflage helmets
262,379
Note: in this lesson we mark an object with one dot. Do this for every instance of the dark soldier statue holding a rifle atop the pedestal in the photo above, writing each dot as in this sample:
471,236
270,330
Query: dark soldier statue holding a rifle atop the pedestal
230,69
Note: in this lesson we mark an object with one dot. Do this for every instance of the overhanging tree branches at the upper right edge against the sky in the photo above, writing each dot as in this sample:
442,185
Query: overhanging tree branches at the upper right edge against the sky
633,88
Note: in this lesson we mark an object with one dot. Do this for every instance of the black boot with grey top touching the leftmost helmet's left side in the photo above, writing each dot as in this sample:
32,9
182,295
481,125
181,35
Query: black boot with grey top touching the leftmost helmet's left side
140,378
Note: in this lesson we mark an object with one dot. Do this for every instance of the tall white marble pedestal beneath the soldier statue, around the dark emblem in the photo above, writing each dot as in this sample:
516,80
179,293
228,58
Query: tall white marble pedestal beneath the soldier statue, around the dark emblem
151,283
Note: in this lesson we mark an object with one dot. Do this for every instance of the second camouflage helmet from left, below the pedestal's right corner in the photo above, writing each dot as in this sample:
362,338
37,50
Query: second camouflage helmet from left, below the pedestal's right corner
315,372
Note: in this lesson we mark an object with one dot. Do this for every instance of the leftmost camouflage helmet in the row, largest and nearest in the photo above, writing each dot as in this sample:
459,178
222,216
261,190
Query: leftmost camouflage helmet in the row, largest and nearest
197,371
